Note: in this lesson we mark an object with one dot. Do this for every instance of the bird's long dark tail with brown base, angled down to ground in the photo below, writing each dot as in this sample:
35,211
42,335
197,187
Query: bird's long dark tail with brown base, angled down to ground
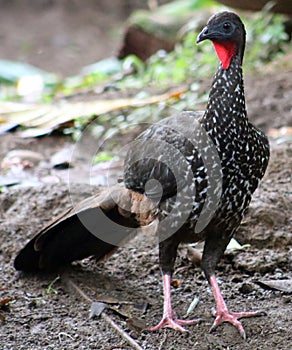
96,226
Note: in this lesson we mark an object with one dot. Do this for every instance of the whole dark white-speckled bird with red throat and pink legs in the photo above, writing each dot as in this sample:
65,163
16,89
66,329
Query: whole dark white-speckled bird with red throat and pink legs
190,175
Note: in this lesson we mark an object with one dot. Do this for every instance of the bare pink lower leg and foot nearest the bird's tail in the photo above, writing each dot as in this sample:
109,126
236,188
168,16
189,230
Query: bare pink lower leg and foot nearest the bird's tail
168,318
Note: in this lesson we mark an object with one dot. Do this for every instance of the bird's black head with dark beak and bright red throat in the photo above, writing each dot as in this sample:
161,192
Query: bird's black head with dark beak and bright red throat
226,31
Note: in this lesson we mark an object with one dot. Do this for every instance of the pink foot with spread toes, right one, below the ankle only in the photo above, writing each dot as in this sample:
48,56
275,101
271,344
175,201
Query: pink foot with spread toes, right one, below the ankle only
233,318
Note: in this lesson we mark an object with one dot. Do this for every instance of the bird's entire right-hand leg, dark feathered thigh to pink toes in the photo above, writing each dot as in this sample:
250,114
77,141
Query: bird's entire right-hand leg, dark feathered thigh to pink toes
213,250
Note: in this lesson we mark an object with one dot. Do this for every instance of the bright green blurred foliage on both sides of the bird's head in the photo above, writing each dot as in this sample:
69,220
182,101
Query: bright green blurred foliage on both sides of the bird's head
266,39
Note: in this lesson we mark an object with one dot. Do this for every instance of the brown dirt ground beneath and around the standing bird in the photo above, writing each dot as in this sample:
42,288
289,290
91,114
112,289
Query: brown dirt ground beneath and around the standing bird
48,313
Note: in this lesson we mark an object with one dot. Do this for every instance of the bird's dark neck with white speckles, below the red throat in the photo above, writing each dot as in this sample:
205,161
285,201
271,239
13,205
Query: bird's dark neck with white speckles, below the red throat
226,103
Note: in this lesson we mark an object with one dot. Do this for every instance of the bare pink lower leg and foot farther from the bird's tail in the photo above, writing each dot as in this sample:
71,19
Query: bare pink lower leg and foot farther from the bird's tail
223,315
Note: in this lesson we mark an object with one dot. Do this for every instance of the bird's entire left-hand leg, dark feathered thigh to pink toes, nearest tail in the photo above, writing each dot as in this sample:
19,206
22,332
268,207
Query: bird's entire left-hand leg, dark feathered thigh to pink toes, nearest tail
167,256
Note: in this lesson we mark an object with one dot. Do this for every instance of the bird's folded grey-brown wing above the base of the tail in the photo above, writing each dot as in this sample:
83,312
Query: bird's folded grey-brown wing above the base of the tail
161,153
